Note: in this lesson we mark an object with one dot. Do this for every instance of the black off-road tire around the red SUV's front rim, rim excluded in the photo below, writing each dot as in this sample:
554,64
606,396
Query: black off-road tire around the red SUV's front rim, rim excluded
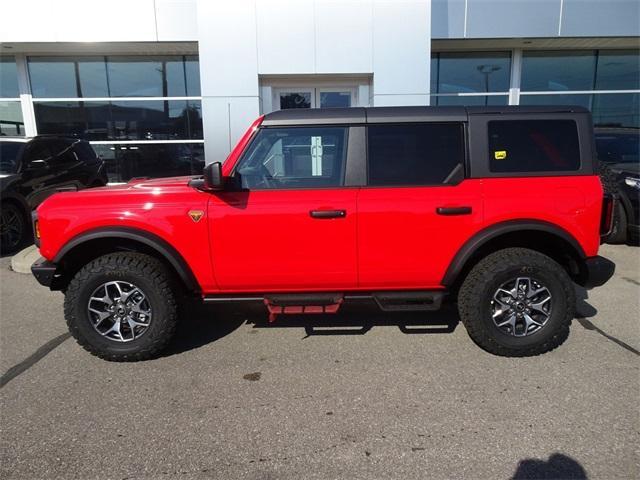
144,271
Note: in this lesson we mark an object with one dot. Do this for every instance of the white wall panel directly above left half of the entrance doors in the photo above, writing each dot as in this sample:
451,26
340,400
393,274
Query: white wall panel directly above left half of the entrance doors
286,42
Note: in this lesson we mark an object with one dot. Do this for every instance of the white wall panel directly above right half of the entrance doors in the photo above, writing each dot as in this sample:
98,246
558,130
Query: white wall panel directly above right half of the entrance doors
343,36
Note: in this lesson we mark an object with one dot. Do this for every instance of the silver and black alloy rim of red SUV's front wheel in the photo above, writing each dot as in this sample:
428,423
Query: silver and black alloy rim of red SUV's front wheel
119,311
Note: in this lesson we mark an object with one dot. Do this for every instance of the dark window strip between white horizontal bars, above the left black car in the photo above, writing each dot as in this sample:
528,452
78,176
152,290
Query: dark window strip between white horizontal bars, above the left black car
137,120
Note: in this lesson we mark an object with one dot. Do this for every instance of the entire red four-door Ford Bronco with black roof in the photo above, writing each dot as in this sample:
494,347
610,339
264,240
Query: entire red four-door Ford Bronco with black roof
498,208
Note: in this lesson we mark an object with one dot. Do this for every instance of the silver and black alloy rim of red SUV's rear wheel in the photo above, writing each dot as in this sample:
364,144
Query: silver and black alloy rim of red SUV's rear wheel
521,306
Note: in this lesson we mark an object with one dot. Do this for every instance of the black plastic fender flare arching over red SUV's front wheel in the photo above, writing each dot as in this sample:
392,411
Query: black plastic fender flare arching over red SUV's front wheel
149,239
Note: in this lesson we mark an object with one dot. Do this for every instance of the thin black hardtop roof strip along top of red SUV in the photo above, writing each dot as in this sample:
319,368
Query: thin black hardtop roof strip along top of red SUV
358,115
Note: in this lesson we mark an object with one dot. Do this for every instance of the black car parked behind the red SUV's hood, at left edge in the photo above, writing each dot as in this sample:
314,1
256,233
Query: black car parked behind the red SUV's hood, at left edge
32,169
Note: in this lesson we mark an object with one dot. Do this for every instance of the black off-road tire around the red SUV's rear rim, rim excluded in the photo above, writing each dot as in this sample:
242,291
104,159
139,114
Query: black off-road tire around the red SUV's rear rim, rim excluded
476,294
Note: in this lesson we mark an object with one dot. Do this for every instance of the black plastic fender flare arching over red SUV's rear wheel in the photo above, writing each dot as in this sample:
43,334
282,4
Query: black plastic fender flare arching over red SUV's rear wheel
494,231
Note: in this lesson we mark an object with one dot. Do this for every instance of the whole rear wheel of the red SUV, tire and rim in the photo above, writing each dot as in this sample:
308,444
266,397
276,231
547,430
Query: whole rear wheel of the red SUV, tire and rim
517,302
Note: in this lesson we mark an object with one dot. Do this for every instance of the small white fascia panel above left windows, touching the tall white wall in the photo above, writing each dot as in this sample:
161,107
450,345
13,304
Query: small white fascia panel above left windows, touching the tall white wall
177,20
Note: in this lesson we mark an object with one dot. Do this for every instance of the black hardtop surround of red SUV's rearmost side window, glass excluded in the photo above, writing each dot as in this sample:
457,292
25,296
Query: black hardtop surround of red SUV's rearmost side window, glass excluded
479,164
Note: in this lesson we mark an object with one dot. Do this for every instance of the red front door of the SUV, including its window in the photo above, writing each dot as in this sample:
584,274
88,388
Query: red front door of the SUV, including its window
289,223
